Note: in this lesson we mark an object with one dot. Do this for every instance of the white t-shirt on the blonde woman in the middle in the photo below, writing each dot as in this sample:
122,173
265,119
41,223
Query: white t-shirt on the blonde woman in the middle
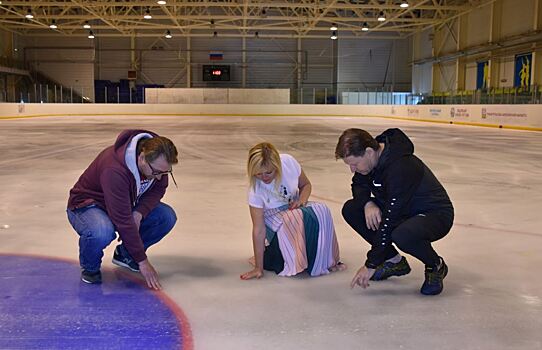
268,196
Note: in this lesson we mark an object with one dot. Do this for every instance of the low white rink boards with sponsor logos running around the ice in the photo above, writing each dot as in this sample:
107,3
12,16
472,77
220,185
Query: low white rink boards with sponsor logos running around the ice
528,117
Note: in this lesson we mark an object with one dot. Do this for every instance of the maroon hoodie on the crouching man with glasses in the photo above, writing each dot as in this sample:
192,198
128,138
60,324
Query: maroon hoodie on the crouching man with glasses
109,184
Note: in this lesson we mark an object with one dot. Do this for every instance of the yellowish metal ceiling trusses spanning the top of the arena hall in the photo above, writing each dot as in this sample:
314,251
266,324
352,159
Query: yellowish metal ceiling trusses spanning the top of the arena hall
230,18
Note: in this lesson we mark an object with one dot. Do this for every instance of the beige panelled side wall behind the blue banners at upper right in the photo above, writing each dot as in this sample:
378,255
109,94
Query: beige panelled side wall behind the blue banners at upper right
467,39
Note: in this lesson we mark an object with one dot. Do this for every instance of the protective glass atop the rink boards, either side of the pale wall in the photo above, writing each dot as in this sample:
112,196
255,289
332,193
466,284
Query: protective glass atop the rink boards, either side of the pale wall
47,93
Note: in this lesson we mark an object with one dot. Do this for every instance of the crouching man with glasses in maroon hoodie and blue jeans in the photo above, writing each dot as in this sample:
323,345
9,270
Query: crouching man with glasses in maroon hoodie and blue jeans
120,192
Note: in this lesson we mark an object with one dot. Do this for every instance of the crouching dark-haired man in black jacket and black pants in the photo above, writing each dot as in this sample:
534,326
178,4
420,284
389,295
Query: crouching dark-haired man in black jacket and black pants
396,199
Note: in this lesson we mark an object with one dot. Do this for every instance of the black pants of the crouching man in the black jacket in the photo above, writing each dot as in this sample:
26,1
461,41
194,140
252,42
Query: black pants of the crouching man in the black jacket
413,236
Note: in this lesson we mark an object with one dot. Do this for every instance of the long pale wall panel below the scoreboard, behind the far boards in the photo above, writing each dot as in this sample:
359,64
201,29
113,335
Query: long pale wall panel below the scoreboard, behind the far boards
218,96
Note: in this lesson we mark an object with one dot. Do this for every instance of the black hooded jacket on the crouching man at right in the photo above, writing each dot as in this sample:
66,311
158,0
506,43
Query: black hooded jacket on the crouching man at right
402,186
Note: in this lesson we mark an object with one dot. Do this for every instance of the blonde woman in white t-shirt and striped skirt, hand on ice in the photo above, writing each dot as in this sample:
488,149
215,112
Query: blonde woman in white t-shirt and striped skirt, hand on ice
289,234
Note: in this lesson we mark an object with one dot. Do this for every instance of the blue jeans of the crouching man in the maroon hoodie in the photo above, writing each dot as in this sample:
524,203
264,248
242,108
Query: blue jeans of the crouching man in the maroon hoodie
96,231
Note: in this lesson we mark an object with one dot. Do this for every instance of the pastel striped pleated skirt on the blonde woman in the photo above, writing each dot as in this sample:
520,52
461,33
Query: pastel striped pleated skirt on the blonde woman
300,239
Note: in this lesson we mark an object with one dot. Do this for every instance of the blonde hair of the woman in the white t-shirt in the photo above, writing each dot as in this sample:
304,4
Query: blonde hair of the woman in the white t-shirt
263,155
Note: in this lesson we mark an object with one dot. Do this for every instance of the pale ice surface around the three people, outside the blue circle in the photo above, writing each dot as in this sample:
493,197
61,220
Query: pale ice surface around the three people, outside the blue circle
492,296
